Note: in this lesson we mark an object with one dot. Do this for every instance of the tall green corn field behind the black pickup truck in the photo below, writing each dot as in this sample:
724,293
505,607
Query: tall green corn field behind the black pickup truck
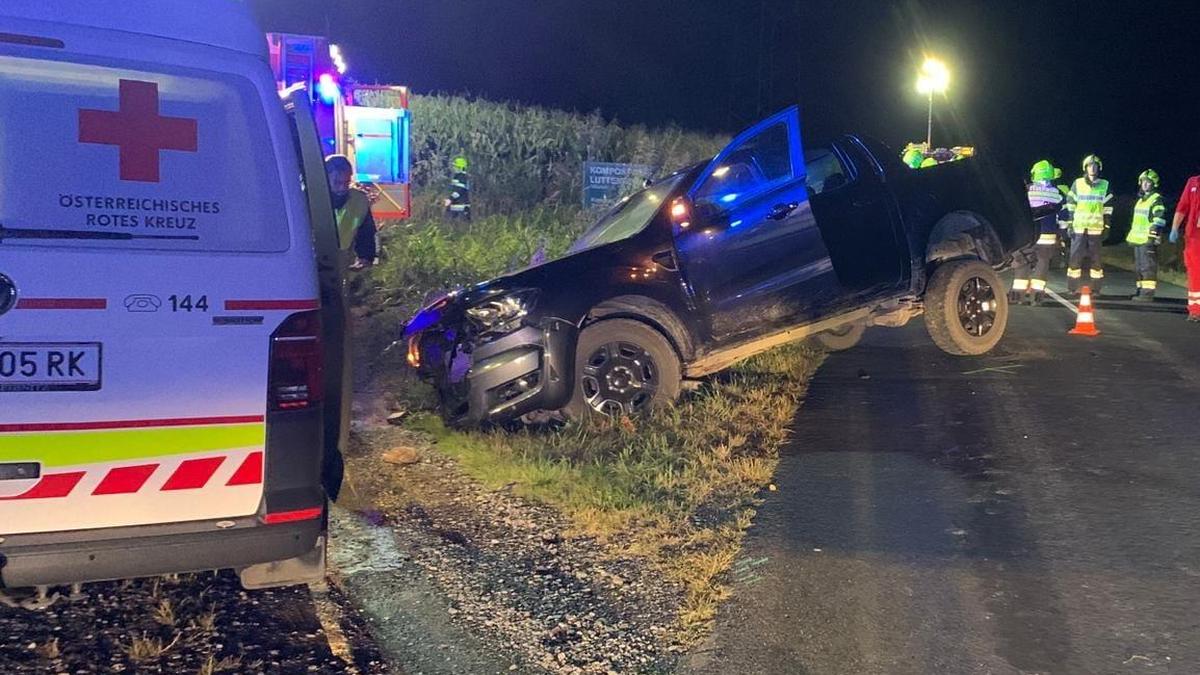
525,157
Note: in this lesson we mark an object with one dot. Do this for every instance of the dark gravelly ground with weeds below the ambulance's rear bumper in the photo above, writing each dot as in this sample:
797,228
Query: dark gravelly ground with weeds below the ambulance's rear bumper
188,624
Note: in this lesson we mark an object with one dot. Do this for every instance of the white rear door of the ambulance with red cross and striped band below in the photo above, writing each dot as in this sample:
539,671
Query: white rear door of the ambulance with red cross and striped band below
154,260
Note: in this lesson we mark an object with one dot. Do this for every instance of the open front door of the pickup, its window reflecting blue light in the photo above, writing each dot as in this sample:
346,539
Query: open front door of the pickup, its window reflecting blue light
753,253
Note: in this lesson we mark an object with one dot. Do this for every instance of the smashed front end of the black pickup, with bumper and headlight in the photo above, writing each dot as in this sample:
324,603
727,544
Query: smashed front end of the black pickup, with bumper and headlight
491,356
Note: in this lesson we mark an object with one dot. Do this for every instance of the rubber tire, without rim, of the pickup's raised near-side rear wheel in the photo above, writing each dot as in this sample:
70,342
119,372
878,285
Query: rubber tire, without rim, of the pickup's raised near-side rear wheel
943,298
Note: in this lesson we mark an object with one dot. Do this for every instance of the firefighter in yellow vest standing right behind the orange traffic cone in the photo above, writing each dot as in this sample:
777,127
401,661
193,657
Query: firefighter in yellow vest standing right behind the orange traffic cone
1090,213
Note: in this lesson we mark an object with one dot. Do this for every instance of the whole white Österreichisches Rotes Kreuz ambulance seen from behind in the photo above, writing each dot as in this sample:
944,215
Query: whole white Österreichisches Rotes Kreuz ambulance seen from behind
172,375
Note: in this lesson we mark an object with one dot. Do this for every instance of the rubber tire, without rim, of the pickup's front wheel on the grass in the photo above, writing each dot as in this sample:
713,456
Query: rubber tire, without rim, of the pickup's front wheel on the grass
656,345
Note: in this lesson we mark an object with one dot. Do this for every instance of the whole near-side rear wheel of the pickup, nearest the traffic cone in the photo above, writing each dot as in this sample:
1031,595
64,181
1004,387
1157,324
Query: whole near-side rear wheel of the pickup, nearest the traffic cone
967,309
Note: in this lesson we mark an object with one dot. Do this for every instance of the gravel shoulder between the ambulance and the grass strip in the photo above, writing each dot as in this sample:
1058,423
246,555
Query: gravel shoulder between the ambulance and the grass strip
457,578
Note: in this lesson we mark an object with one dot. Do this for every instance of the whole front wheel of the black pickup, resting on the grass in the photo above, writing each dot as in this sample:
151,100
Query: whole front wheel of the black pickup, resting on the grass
623,368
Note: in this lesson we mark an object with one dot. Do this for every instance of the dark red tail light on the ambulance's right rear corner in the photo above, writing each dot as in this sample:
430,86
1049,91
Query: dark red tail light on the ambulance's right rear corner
297,372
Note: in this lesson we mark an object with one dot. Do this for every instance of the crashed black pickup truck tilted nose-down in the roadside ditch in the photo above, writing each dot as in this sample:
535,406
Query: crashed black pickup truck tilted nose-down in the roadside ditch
767,243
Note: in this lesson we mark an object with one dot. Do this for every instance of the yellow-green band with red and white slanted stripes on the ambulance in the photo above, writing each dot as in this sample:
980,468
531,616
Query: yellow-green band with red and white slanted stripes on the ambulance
119,467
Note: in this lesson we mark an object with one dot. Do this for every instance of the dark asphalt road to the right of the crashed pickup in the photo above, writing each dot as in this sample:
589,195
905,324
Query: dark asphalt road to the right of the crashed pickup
1035,511
